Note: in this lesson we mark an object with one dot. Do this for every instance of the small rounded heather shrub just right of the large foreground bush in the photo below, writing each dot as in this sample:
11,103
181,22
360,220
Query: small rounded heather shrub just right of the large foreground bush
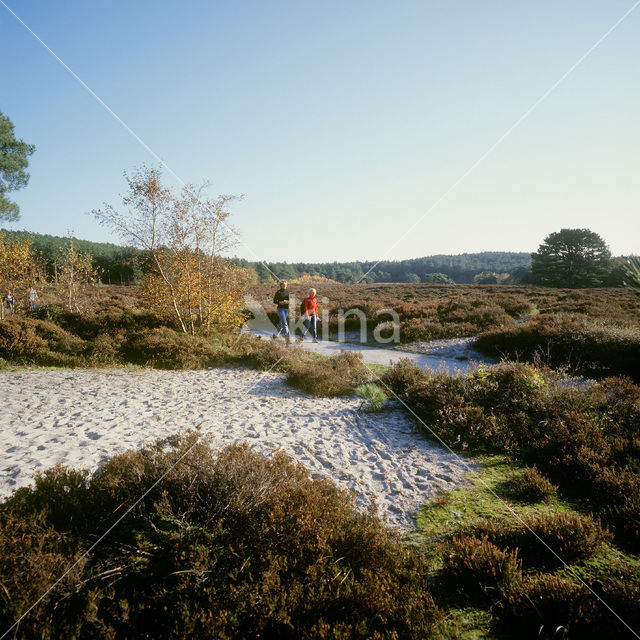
479,567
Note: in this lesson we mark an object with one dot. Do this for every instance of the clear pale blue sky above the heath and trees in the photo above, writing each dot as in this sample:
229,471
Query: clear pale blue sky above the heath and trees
342,122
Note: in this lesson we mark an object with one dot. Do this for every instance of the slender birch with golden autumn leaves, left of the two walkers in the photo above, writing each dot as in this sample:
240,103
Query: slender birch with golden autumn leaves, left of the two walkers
183,237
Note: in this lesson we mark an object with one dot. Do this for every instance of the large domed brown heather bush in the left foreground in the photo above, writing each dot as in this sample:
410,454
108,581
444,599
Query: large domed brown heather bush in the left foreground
226,546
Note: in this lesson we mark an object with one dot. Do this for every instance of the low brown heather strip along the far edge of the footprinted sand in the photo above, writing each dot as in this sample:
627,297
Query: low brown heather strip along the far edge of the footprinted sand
75,340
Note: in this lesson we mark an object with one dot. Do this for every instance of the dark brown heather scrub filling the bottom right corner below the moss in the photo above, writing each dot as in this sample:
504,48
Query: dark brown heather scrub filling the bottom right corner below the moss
543,602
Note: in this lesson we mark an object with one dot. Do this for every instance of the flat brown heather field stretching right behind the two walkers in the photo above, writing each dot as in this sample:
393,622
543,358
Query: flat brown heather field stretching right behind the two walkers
429,312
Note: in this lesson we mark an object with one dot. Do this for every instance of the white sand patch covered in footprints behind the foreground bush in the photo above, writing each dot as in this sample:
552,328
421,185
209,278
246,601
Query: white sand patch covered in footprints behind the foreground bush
80,418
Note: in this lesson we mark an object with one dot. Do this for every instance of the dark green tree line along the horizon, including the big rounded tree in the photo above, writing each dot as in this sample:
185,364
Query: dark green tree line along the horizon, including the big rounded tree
567,258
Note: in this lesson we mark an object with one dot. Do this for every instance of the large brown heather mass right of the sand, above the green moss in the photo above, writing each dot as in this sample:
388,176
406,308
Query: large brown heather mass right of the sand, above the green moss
585,438
